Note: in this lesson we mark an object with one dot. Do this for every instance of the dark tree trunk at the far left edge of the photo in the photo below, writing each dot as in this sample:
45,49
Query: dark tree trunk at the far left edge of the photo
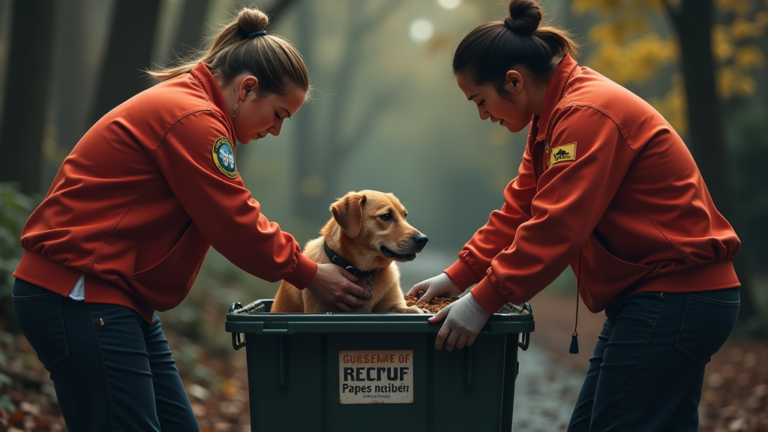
27,92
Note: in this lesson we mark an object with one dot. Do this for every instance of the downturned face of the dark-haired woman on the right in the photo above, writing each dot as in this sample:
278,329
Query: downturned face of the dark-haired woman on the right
511,111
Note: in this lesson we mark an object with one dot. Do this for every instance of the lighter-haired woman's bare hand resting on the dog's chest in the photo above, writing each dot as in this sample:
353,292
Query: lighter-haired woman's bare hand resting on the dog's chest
332,284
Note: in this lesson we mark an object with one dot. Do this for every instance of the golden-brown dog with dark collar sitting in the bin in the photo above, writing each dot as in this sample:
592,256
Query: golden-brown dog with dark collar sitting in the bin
368,231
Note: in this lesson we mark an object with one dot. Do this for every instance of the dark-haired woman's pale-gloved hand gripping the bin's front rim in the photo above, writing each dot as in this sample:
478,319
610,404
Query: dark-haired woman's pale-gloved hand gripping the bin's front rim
464,319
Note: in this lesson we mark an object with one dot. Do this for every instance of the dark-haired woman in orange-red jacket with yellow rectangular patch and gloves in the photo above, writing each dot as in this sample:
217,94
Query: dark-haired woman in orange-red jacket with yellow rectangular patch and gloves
607,186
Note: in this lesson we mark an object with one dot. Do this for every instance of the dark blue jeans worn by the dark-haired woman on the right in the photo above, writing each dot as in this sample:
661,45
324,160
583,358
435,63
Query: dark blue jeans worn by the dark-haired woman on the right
647,371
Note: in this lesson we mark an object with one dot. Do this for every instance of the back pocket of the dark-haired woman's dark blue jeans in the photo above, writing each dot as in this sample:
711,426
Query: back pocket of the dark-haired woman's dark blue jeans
708,321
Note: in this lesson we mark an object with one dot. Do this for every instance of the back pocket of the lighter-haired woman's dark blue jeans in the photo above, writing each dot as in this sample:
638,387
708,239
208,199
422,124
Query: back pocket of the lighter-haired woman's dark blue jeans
39,313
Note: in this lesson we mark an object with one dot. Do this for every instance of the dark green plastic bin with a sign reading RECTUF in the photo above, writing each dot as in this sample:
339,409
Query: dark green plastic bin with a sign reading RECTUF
294,363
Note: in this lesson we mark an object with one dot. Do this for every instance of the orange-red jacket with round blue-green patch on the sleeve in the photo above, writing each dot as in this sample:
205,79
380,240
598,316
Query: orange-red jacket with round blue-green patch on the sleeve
140,199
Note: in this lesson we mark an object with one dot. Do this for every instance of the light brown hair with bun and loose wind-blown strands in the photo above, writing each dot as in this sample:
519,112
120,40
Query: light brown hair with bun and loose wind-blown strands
272,60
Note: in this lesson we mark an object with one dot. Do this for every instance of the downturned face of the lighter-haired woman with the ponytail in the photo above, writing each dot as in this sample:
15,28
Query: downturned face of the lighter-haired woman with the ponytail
261,115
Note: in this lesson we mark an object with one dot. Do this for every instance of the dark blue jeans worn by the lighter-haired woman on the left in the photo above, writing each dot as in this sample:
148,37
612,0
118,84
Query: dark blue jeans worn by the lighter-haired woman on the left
112,370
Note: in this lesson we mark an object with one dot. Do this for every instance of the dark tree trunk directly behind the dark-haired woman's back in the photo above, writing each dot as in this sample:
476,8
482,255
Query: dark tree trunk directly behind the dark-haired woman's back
693,21
